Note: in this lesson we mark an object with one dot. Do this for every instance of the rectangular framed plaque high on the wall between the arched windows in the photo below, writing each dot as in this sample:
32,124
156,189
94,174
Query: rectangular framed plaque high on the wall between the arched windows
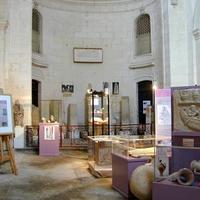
87,55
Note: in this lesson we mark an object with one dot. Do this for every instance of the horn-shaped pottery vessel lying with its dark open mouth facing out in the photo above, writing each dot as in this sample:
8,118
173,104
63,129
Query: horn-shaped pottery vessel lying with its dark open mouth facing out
183,177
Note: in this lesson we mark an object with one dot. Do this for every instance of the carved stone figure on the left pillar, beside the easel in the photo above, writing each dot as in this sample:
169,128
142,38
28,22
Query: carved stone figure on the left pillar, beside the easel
18,113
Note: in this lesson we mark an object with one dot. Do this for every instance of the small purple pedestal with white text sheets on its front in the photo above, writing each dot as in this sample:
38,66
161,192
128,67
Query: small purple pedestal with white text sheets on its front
49,139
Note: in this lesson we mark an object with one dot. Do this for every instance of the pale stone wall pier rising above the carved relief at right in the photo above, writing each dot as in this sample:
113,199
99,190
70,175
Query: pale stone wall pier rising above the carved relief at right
178,46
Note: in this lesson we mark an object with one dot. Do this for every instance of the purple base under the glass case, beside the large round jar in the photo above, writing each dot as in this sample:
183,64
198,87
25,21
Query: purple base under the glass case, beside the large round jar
122,169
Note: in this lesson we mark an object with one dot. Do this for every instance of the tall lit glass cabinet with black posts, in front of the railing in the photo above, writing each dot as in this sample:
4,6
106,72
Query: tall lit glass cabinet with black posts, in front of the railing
97,113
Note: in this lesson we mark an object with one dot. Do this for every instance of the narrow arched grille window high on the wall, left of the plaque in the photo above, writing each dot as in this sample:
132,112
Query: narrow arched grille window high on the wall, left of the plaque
36,31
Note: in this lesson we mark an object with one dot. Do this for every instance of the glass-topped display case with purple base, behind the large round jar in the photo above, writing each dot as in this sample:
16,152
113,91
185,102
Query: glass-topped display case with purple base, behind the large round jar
128,153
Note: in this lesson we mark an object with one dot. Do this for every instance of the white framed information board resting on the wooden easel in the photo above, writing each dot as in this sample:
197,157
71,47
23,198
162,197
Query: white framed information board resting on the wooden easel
6,115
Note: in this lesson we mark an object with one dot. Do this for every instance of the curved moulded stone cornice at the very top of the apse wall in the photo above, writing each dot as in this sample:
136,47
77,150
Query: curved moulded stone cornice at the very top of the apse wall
94,6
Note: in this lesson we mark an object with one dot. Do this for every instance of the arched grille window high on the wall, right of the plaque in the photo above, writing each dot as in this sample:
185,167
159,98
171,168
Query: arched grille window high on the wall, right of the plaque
143,35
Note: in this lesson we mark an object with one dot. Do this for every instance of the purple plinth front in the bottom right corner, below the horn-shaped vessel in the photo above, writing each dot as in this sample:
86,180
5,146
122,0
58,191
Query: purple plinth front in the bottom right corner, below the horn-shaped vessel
166,190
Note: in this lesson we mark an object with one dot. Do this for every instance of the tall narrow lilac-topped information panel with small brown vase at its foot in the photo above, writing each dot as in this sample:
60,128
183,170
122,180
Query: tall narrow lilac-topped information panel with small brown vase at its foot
163,131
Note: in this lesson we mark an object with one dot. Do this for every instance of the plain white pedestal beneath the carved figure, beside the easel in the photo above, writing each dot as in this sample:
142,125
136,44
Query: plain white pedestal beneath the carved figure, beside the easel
19,137
